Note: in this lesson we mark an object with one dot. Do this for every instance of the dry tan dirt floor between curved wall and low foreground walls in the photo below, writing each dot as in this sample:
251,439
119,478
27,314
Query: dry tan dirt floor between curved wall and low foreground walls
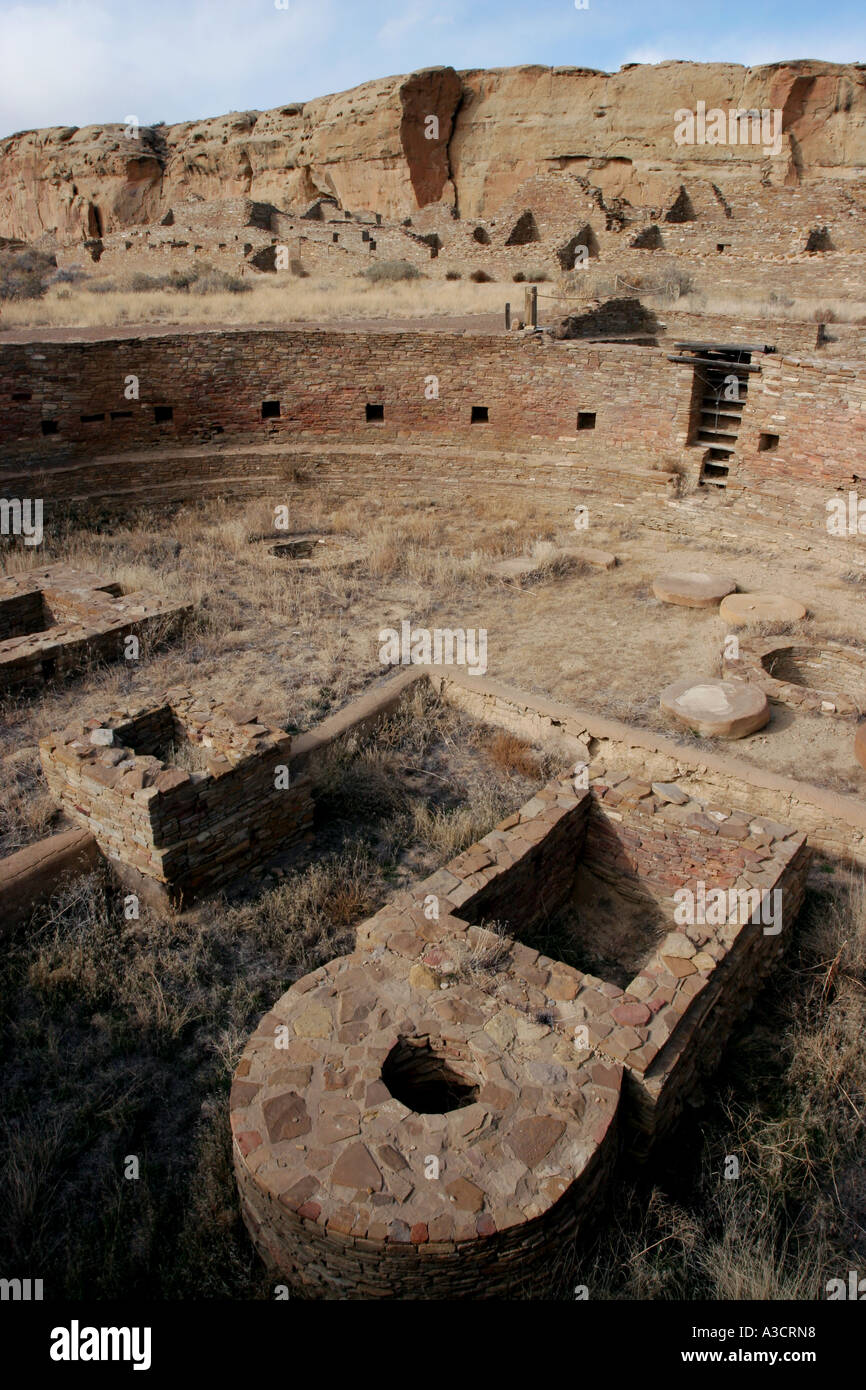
302,637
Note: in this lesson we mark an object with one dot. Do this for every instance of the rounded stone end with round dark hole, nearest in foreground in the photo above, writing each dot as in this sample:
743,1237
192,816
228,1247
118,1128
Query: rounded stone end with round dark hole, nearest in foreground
395,1140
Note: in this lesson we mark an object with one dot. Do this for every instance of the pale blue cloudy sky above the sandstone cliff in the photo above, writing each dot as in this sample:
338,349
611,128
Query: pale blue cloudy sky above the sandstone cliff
101,62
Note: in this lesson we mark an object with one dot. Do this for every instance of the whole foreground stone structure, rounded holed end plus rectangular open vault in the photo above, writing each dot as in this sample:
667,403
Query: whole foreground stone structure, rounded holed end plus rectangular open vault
439,1114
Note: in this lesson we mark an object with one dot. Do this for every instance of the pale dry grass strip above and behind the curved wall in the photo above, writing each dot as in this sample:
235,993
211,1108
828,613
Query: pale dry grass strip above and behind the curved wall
277,301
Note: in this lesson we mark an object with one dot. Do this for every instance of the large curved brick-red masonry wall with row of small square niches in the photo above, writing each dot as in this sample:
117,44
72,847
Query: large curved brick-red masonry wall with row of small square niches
604,409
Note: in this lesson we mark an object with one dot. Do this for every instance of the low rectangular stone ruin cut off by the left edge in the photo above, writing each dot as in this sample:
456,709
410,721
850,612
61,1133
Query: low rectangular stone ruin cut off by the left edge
56,619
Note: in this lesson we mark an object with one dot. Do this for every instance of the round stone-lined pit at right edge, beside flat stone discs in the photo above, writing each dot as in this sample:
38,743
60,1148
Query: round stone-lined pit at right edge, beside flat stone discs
818,678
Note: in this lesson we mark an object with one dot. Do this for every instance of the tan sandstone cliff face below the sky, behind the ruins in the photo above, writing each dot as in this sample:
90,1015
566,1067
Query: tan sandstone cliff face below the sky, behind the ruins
376,148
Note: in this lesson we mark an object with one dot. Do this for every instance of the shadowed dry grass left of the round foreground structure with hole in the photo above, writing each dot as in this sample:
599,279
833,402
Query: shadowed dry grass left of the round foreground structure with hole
122,1038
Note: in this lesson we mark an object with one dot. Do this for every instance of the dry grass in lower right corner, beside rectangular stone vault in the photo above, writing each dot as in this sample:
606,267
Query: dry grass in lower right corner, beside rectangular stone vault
790,1104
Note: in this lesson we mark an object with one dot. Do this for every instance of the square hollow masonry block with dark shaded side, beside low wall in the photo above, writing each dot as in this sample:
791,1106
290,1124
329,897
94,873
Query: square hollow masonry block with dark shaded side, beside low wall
180,828
